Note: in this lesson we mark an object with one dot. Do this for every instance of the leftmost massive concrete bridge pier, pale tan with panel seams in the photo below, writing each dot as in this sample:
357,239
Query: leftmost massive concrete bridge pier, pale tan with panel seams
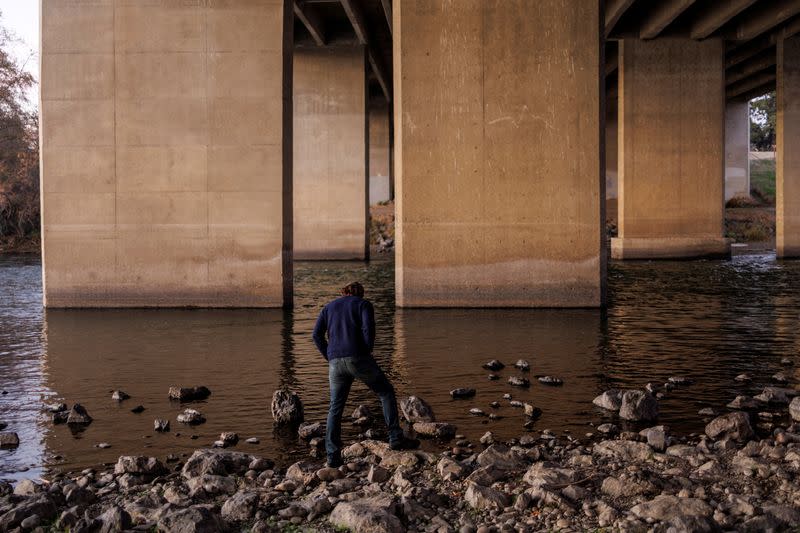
164,162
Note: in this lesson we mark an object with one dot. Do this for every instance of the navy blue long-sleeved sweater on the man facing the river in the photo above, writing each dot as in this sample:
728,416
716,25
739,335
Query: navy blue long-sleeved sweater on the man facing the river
350,324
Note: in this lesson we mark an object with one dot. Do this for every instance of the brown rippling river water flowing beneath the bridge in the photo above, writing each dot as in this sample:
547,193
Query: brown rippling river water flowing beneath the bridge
705,320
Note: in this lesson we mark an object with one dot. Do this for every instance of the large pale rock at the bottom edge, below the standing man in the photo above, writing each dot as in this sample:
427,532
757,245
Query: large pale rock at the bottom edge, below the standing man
377,514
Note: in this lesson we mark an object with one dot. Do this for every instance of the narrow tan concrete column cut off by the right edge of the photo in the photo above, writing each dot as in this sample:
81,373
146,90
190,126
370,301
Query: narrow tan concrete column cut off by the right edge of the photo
787,160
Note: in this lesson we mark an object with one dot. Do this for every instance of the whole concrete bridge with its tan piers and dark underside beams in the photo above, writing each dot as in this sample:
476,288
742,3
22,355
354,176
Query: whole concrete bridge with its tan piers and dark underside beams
191,150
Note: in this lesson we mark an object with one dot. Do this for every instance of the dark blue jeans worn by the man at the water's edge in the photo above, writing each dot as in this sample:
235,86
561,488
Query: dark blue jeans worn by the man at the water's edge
341,373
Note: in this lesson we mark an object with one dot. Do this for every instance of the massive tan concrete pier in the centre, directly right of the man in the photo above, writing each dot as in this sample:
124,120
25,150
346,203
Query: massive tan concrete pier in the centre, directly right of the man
498,195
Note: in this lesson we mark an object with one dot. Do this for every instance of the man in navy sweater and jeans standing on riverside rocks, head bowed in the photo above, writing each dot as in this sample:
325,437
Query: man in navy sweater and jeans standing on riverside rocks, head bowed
349,322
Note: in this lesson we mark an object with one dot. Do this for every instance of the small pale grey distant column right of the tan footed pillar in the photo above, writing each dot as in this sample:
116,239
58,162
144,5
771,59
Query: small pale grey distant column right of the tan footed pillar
737,149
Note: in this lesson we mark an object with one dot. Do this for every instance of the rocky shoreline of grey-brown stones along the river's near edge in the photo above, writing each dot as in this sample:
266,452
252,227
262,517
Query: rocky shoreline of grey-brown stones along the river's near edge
647,481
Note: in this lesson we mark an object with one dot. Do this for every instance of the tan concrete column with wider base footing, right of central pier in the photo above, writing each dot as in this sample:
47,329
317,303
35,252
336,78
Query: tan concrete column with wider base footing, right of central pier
671,163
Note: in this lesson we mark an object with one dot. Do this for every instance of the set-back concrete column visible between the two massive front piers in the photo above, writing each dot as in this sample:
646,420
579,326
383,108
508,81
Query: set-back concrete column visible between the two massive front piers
330,154
